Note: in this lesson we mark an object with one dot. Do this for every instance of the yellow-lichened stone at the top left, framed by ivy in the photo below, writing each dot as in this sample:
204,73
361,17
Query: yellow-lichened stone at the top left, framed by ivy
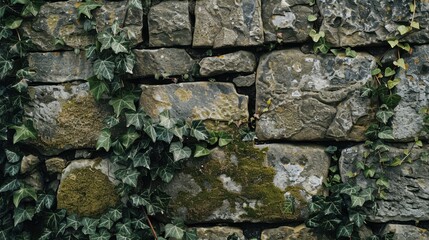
57,21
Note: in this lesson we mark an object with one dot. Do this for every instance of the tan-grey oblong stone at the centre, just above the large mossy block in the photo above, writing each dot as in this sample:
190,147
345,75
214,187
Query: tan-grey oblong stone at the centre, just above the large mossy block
196,101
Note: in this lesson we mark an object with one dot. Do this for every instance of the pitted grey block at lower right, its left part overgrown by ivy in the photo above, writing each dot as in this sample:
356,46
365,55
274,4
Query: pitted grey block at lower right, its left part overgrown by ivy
406,197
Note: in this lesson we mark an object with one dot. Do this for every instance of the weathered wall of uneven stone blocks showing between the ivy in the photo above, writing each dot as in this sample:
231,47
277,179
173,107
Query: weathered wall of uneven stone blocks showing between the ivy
302,103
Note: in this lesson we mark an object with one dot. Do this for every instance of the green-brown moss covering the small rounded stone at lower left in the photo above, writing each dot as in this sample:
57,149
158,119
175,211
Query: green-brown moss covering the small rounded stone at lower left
87,192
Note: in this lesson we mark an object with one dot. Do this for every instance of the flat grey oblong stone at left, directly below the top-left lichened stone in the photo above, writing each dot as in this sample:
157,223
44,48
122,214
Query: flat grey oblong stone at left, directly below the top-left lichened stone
58,67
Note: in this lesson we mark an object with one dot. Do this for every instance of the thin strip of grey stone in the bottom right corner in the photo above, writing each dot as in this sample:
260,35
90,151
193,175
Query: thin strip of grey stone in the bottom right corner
408,232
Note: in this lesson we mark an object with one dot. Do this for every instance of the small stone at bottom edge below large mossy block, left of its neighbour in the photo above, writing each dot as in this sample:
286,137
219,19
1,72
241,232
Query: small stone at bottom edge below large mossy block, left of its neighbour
215,233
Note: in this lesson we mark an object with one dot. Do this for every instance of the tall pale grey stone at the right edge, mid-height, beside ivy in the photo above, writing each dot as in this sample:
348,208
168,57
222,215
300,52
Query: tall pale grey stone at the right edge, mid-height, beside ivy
414,90
